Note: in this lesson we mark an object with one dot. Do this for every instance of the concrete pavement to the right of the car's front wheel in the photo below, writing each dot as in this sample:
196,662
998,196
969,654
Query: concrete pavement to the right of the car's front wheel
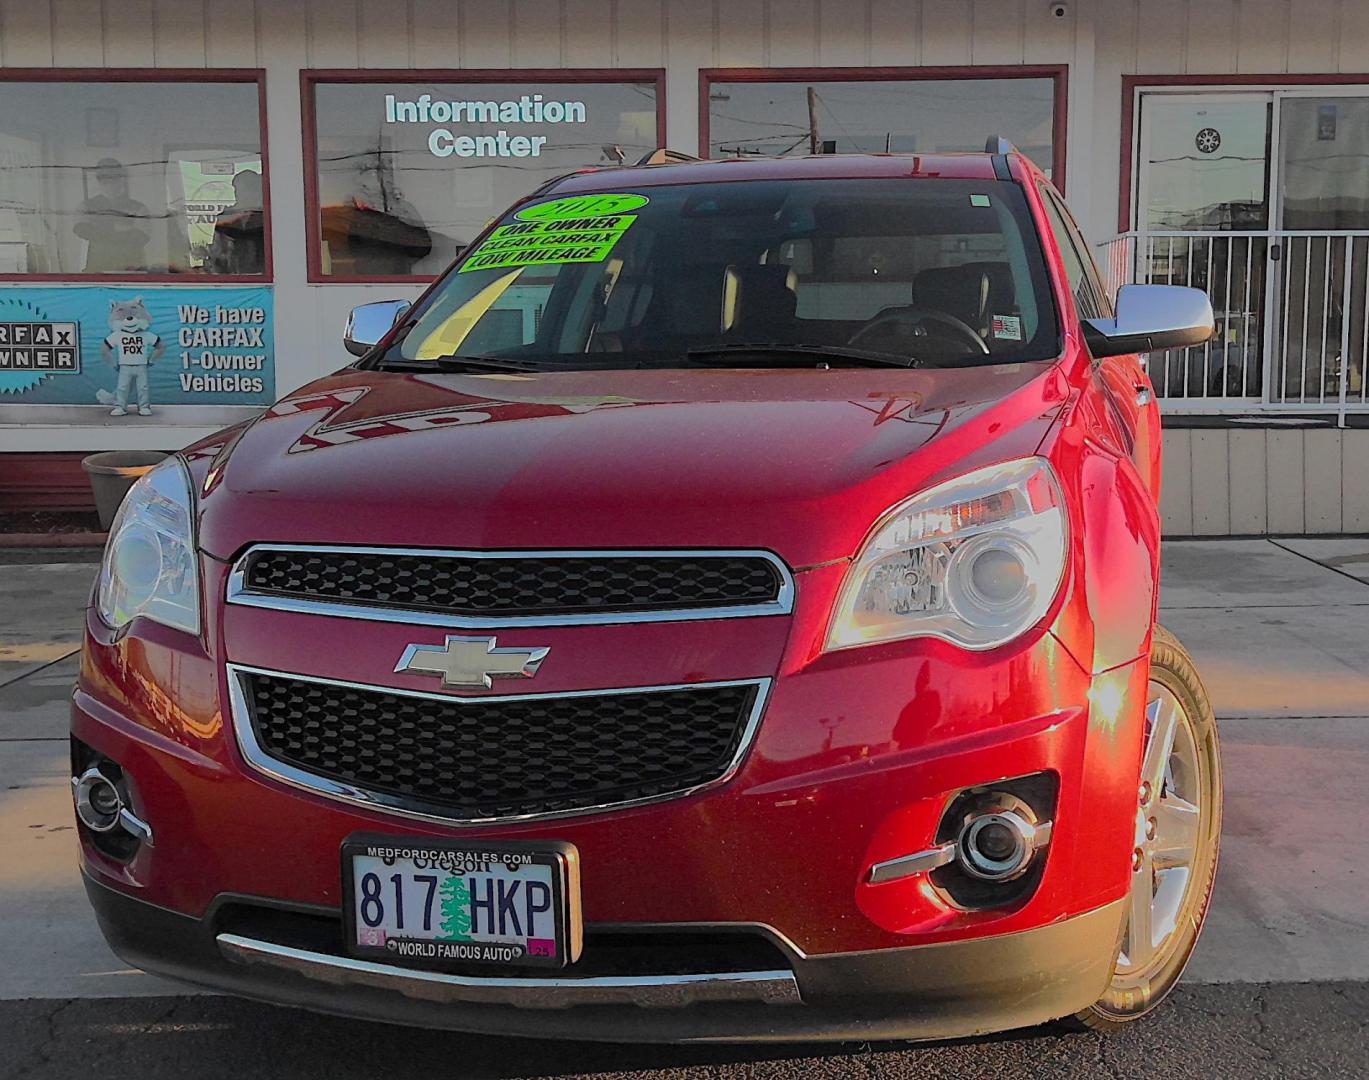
1281,633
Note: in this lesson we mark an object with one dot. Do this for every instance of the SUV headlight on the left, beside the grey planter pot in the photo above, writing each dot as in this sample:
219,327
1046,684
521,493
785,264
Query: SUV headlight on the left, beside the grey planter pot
150,566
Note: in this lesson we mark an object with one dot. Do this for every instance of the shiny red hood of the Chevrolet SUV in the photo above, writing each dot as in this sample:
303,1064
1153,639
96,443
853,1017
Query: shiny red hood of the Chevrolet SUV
796,462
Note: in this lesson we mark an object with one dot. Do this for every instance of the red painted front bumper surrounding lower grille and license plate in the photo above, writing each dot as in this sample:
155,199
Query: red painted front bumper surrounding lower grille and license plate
856,760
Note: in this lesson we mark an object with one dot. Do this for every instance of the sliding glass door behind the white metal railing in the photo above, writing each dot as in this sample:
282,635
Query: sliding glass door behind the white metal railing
1262,199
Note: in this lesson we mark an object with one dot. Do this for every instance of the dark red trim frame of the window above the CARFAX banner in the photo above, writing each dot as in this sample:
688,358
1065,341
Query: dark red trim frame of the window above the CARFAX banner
161,75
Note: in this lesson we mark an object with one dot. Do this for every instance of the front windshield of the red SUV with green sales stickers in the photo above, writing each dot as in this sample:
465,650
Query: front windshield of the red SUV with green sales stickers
934,273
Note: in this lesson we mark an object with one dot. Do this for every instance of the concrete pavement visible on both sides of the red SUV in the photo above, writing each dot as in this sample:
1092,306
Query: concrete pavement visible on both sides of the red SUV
1281,632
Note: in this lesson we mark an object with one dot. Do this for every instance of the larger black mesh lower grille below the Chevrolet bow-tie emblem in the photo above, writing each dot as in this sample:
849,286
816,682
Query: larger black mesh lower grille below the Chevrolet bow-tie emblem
480,759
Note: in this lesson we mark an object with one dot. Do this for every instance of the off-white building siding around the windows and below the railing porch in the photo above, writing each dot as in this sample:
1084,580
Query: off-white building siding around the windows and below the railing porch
1219,481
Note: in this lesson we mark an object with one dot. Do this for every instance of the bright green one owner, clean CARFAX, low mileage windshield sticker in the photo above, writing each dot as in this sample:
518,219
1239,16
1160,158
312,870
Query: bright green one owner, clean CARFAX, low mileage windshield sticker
581,229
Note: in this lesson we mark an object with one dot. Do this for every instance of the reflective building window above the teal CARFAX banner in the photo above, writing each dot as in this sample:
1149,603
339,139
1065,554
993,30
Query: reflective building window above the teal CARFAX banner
133,175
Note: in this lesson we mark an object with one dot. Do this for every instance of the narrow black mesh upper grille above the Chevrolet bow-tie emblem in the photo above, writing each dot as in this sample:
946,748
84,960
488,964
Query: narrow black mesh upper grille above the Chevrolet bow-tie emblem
514,587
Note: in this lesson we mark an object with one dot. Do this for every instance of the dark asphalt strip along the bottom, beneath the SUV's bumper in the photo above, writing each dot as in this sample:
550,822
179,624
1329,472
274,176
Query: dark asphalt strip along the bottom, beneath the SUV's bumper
1238,1031
